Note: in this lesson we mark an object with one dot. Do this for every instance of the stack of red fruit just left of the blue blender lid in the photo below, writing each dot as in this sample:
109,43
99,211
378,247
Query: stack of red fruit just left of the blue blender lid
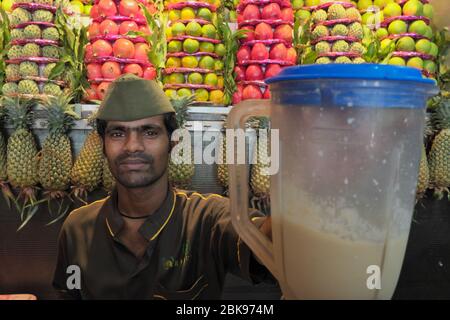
266,48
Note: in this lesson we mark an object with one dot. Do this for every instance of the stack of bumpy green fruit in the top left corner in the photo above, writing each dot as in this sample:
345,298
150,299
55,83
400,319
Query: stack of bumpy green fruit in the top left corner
34,51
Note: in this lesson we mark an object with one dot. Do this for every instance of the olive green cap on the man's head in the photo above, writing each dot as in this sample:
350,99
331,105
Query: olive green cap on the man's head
131,98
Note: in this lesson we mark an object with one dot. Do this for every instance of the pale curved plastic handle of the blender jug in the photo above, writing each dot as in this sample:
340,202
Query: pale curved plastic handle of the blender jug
252,236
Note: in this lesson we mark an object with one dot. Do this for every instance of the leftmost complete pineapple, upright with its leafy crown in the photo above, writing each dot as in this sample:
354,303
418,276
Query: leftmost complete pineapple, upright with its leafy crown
22,156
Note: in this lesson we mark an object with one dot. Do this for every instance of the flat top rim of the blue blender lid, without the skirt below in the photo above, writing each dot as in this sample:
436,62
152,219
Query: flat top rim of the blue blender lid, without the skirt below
364,71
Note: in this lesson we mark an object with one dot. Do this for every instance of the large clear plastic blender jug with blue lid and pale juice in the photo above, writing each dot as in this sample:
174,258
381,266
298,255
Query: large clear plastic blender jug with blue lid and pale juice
342,200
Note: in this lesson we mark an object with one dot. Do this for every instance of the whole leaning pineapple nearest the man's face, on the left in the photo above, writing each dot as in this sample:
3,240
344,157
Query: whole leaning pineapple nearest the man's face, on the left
86,173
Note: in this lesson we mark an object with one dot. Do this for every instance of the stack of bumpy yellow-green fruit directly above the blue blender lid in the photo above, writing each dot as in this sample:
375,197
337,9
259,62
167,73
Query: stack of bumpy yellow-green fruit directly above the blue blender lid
336,33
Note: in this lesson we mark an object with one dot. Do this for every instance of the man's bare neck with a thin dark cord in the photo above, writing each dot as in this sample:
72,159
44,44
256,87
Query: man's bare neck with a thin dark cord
142,201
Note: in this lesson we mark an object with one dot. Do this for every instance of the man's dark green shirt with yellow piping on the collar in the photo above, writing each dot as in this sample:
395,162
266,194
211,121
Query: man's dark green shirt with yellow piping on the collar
192,245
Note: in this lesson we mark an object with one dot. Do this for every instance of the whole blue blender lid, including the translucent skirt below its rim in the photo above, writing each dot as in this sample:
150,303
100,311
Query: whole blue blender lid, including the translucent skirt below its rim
325,86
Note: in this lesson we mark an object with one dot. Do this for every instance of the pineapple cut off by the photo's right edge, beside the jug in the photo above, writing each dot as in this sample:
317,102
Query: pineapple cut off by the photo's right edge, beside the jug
439,156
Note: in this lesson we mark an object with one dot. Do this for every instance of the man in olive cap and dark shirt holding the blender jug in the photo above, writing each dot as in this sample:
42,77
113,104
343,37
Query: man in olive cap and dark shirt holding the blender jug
148,240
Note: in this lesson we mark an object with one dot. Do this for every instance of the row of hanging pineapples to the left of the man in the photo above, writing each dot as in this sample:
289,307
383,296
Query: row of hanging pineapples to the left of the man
30,175
